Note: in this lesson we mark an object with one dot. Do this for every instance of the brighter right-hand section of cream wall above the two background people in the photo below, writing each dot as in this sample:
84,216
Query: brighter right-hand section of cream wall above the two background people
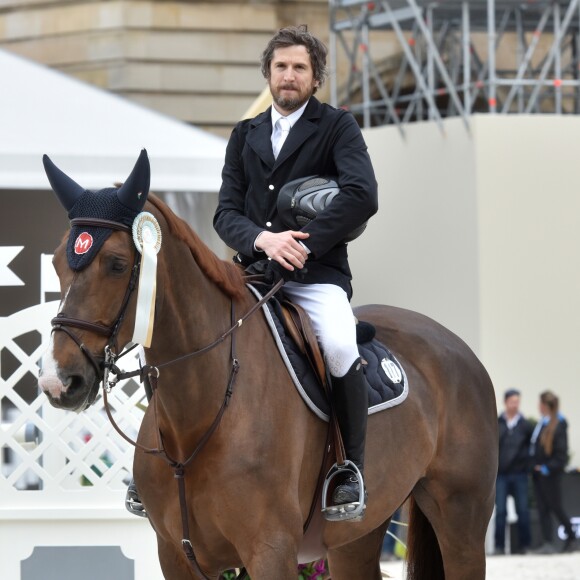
529,215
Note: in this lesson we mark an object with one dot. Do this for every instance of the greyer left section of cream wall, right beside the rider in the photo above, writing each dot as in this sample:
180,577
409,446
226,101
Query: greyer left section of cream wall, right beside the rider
420,250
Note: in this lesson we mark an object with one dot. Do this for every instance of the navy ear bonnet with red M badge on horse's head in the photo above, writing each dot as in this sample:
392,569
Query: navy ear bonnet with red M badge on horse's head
120,205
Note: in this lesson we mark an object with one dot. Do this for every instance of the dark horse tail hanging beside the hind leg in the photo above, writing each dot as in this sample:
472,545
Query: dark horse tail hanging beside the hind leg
424,561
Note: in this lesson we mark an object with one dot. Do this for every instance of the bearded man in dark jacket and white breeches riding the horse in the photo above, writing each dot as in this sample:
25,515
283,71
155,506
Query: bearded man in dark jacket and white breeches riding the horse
297,138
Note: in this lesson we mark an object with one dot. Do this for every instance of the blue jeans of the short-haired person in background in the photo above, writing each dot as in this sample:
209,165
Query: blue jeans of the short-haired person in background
516,485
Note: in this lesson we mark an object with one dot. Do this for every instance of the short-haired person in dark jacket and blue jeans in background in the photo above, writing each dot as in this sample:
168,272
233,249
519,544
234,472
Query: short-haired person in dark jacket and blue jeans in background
515,432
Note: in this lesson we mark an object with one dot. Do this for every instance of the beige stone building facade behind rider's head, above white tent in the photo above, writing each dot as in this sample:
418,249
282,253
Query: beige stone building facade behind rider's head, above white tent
193,60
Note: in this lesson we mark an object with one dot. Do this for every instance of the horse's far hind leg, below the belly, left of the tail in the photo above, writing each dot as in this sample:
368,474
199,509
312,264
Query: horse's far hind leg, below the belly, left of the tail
358,560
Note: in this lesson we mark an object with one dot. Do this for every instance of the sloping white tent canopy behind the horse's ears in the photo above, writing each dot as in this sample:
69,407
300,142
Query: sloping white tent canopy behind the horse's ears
94,136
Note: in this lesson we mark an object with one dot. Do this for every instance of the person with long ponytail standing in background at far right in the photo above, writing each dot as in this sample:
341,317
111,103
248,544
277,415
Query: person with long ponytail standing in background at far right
549,453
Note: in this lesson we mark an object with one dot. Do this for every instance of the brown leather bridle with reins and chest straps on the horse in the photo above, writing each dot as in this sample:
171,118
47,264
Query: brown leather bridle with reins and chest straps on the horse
107,367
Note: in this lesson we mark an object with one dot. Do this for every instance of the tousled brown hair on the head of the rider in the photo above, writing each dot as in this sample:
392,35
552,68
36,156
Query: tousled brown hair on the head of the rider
292,36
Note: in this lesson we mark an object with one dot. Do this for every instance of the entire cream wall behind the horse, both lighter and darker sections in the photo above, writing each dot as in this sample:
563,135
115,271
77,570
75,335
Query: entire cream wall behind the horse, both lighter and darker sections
481,231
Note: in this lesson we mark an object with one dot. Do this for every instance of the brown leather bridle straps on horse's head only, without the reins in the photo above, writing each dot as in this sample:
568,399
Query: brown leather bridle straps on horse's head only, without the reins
64,323
